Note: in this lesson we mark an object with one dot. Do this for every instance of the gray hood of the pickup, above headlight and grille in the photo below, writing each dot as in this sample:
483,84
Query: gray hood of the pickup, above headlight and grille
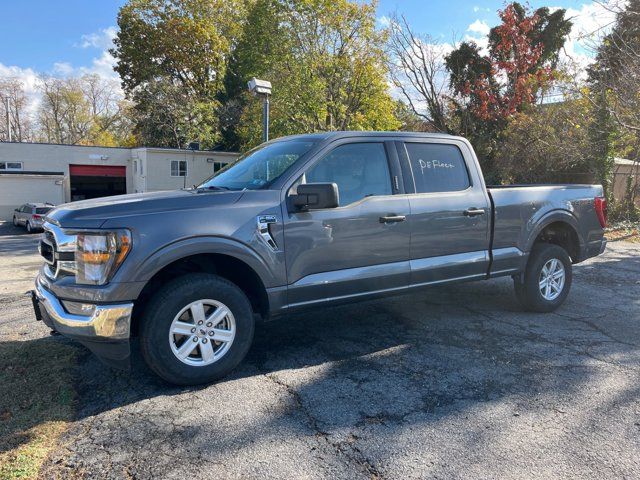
94,213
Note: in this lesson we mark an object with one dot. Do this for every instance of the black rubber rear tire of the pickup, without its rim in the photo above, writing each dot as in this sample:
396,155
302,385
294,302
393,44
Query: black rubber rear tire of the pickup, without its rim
527,286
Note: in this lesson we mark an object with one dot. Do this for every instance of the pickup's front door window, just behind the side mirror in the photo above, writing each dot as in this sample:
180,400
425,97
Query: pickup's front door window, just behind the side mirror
359,169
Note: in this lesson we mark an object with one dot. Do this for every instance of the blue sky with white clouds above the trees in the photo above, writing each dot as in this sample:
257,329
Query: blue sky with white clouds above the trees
69,37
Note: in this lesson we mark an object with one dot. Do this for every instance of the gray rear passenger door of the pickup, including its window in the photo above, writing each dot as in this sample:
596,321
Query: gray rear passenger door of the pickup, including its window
450,211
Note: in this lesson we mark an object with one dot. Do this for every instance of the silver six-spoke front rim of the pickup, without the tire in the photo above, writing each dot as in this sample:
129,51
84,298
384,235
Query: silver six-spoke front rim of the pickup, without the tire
202,332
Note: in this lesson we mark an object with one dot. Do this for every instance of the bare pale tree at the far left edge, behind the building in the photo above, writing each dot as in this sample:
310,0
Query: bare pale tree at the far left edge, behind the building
13,104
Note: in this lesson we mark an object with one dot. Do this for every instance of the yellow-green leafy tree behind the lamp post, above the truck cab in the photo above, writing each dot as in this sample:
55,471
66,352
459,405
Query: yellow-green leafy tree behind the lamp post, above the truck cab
326,61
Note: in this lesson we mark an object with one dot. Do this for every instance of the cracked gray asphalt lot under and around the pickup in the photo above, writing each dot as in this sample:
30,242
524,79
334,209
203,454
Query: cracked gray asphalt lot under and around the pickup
454,382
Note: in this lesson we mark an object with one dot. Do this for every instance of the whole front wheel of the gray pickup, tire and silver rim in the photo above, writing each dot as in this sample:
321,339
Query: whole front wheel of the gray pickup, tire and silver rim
196,329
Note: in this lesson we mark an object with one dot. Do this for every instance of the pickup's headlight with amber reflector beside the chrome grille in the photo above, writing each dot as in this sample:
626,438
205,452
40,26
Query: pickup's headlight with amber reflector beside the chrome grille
99,254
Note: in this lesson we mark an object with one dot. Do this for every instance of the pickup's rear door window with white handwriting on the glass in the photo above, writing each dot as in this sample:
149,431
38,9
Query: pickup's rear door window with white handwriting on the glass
437,167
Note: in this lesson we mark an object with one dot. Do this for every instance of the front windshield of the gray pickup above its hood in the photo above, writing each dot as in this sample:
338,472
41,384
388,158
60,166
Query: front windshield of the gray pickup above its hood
259,167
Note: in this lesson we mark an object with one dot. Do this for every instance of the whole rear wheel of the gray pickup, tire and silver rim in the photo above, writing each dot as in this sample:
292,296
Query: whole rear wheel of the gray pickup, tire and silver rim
547,279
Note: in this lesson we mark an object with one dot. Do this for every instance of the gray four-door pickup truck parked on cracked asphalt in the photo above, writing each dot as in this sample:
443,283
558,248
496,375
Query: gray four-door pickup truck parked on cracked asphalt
300,222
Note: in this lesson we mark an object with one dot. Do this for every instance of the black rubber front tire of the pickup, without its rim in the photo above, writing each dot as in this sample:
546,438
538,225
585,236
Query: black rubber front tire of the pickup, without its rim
168,302
